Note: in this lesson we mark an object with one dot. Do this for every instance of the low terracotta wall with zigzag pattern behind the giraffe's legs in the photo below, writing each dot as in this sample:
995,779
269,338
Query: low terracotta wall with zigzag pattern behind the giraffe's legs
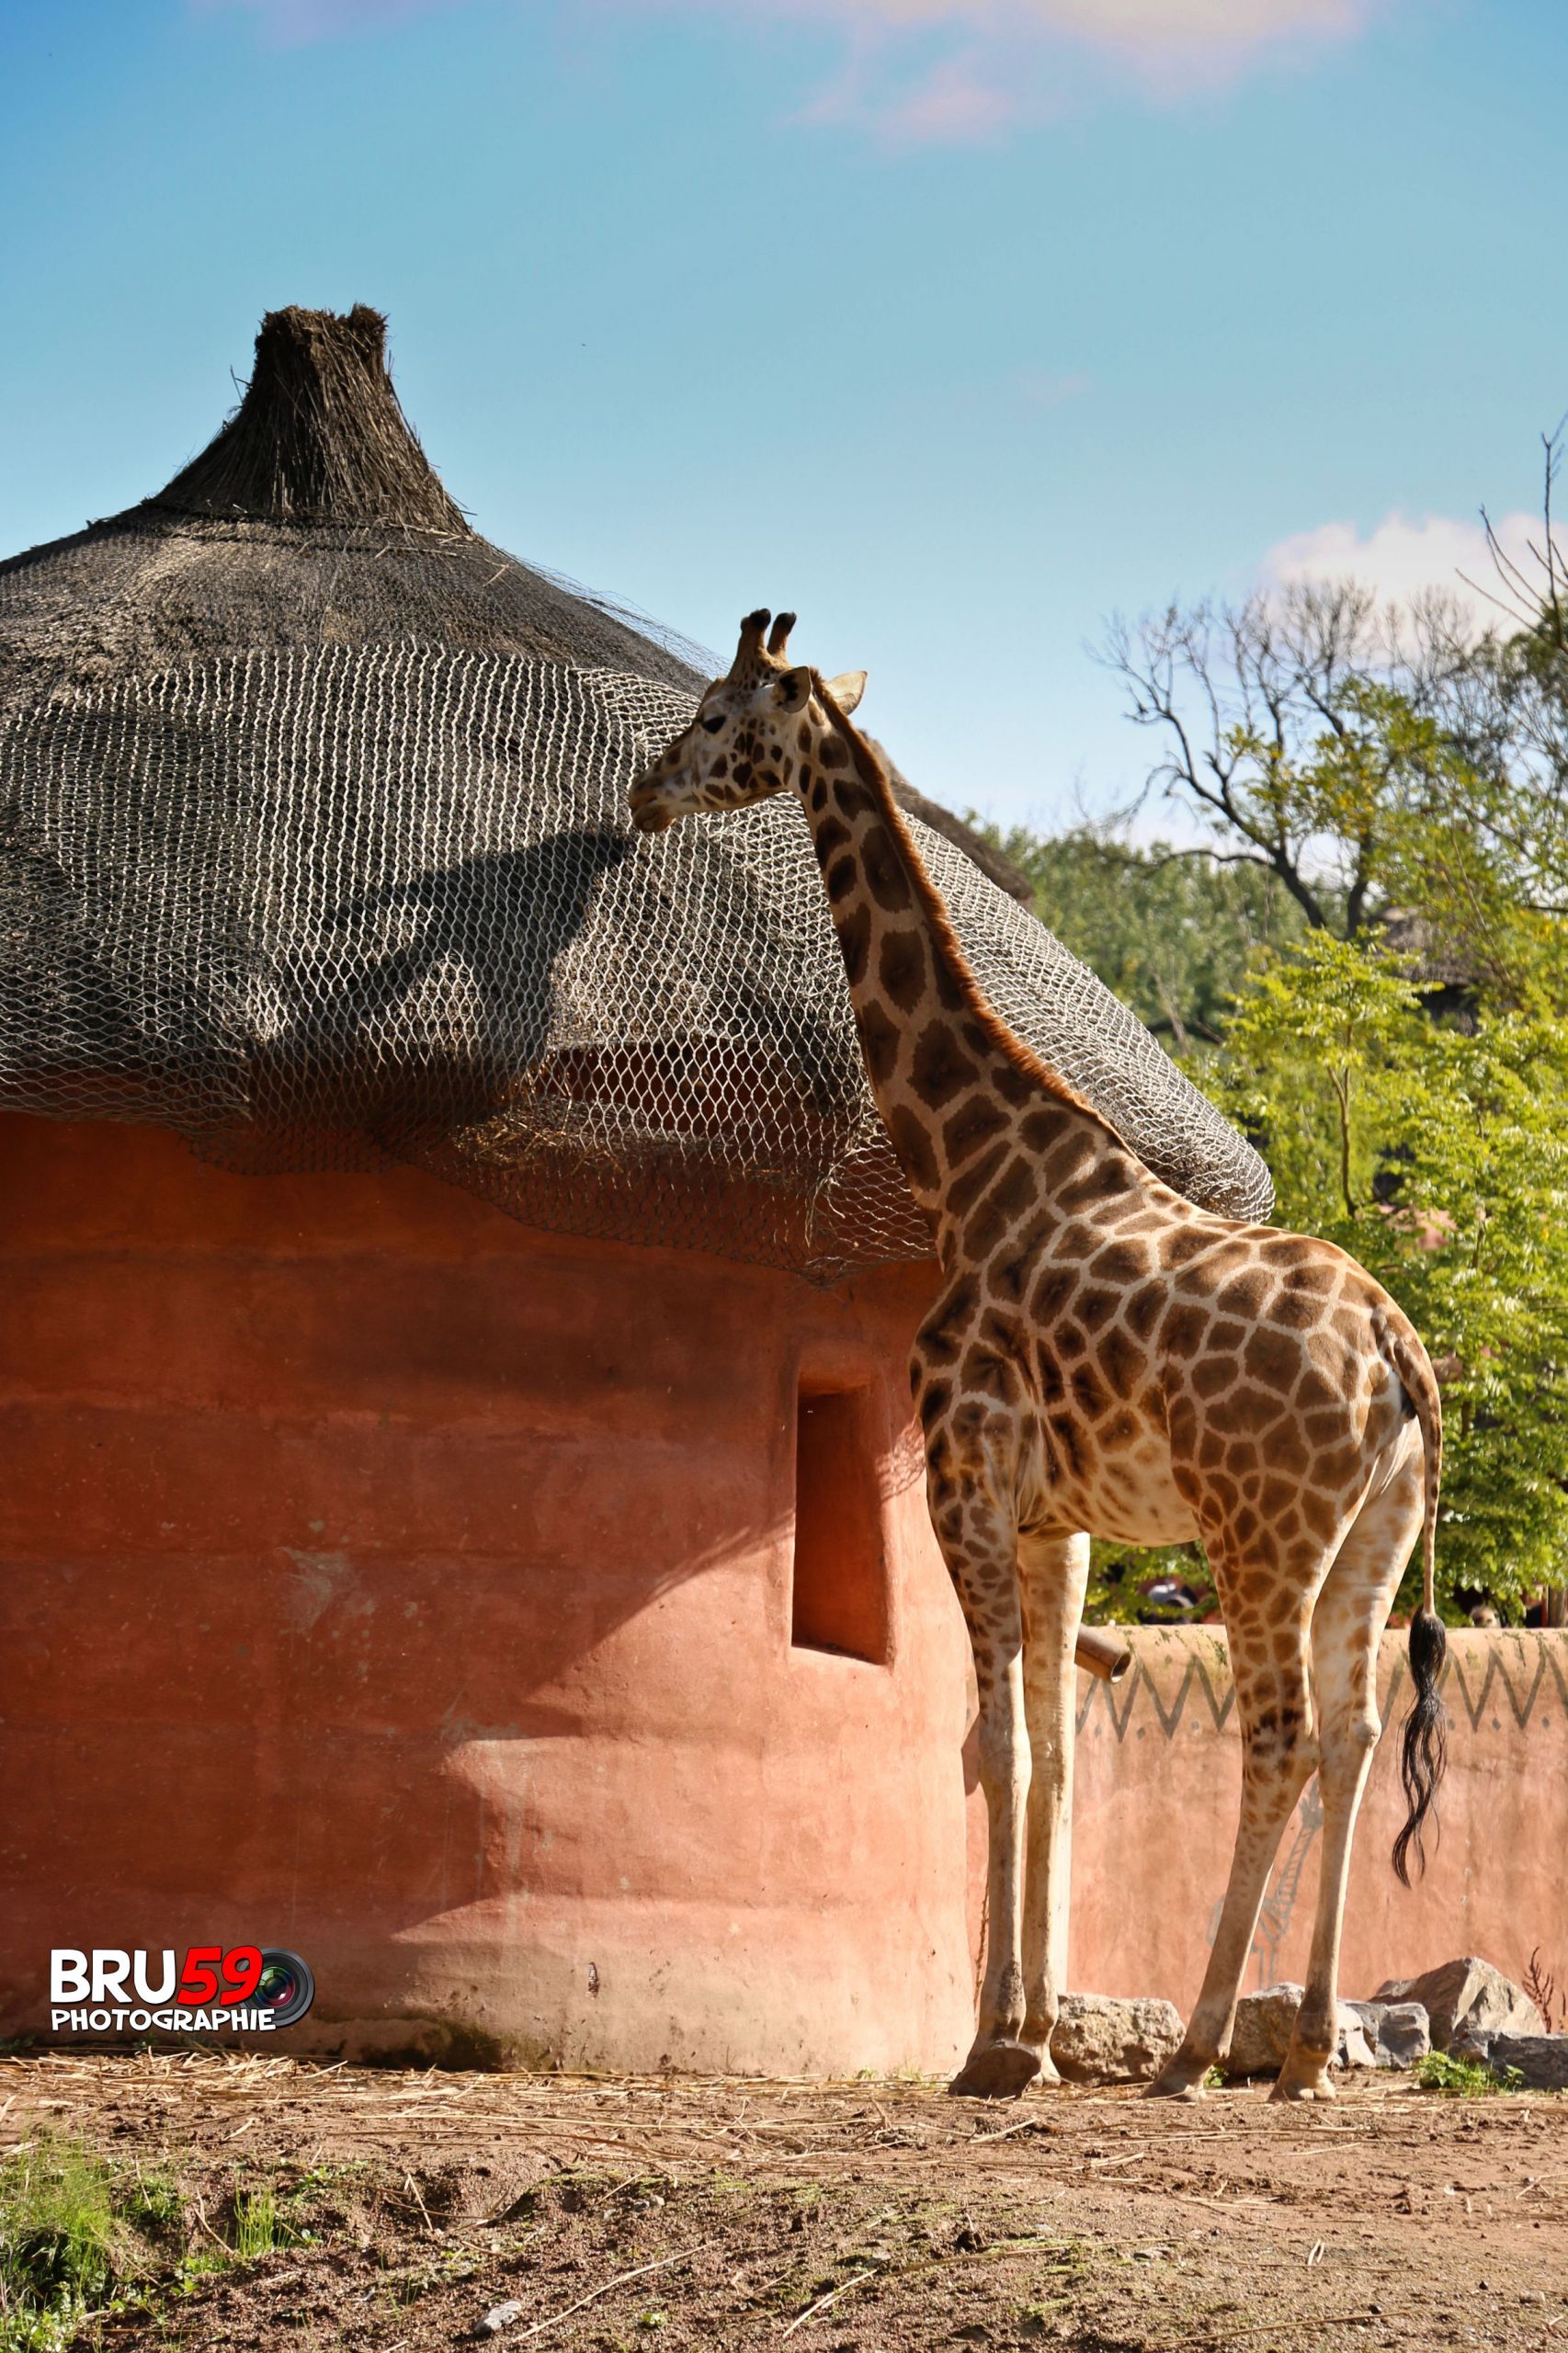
1160,1778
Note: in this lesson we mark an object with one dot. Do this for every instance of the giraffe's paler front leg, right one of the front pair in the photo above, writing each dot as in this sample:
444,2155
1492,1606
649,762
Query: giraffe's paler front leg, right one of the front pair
1054,1575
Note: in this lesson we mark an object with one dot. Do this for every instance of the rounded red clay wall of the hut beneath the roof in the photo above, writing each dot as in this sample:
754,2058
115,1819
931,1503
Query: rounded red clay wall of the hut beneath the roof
411,1589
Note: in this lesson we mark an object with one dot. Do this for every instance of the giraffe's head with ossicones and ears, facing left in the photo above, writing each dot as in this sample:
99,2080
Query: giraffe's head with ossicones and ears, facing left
745,740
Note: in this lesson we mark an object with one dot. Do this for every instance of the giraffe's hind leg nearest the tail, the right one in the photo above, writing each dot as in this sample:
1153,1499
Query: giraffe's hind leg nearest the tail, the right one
1348,1620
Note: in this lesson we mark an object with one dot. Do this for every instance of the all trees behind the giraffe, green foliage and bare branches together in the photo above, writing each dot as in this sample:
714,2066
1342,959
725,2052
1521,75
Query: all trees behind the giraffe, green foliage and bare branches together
1367,961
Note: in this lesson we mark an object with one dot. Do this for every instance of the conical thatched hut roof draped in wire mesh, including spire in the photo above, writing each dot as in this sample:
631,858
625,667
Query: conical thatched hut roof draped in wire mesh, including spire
314,846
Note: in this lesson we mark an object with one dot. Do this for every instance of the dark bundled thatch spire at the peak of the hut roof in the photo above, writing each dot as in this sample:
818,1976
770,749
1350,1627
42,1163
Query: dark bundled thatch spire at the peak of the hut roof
319,436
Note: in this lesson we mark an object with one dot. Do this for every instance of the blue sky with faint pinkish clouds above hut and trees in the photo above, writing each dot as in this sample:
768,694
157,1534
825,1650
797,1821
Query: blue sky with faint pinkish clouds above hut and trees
952,324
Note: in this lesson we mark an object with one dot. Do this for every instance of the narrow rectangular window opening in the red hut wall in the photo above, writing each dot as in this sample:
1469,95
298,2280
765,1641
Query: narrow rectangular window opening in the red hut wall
839,1594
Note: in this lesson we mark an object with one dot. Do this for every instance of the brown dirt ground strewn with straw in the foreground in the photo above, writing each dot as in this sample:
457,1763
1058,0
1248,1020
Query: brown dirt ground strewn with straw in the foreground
397,2211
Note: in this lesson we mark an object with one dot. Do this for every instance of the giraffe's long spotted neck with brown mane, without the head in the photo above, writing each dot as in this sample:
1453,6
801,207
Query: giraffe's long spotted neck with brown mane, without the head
957,1091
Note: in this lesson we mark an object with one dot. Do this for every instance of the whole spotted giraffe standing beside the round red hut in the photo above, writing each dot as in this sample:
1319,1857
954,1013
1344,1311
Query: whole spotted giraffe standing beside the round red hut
1105,1357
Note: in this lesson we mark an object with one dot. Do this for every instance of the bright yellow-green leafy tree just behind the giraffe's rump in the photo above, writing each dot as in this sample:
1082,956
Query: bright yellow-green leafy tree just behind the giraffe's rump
1435,1156
